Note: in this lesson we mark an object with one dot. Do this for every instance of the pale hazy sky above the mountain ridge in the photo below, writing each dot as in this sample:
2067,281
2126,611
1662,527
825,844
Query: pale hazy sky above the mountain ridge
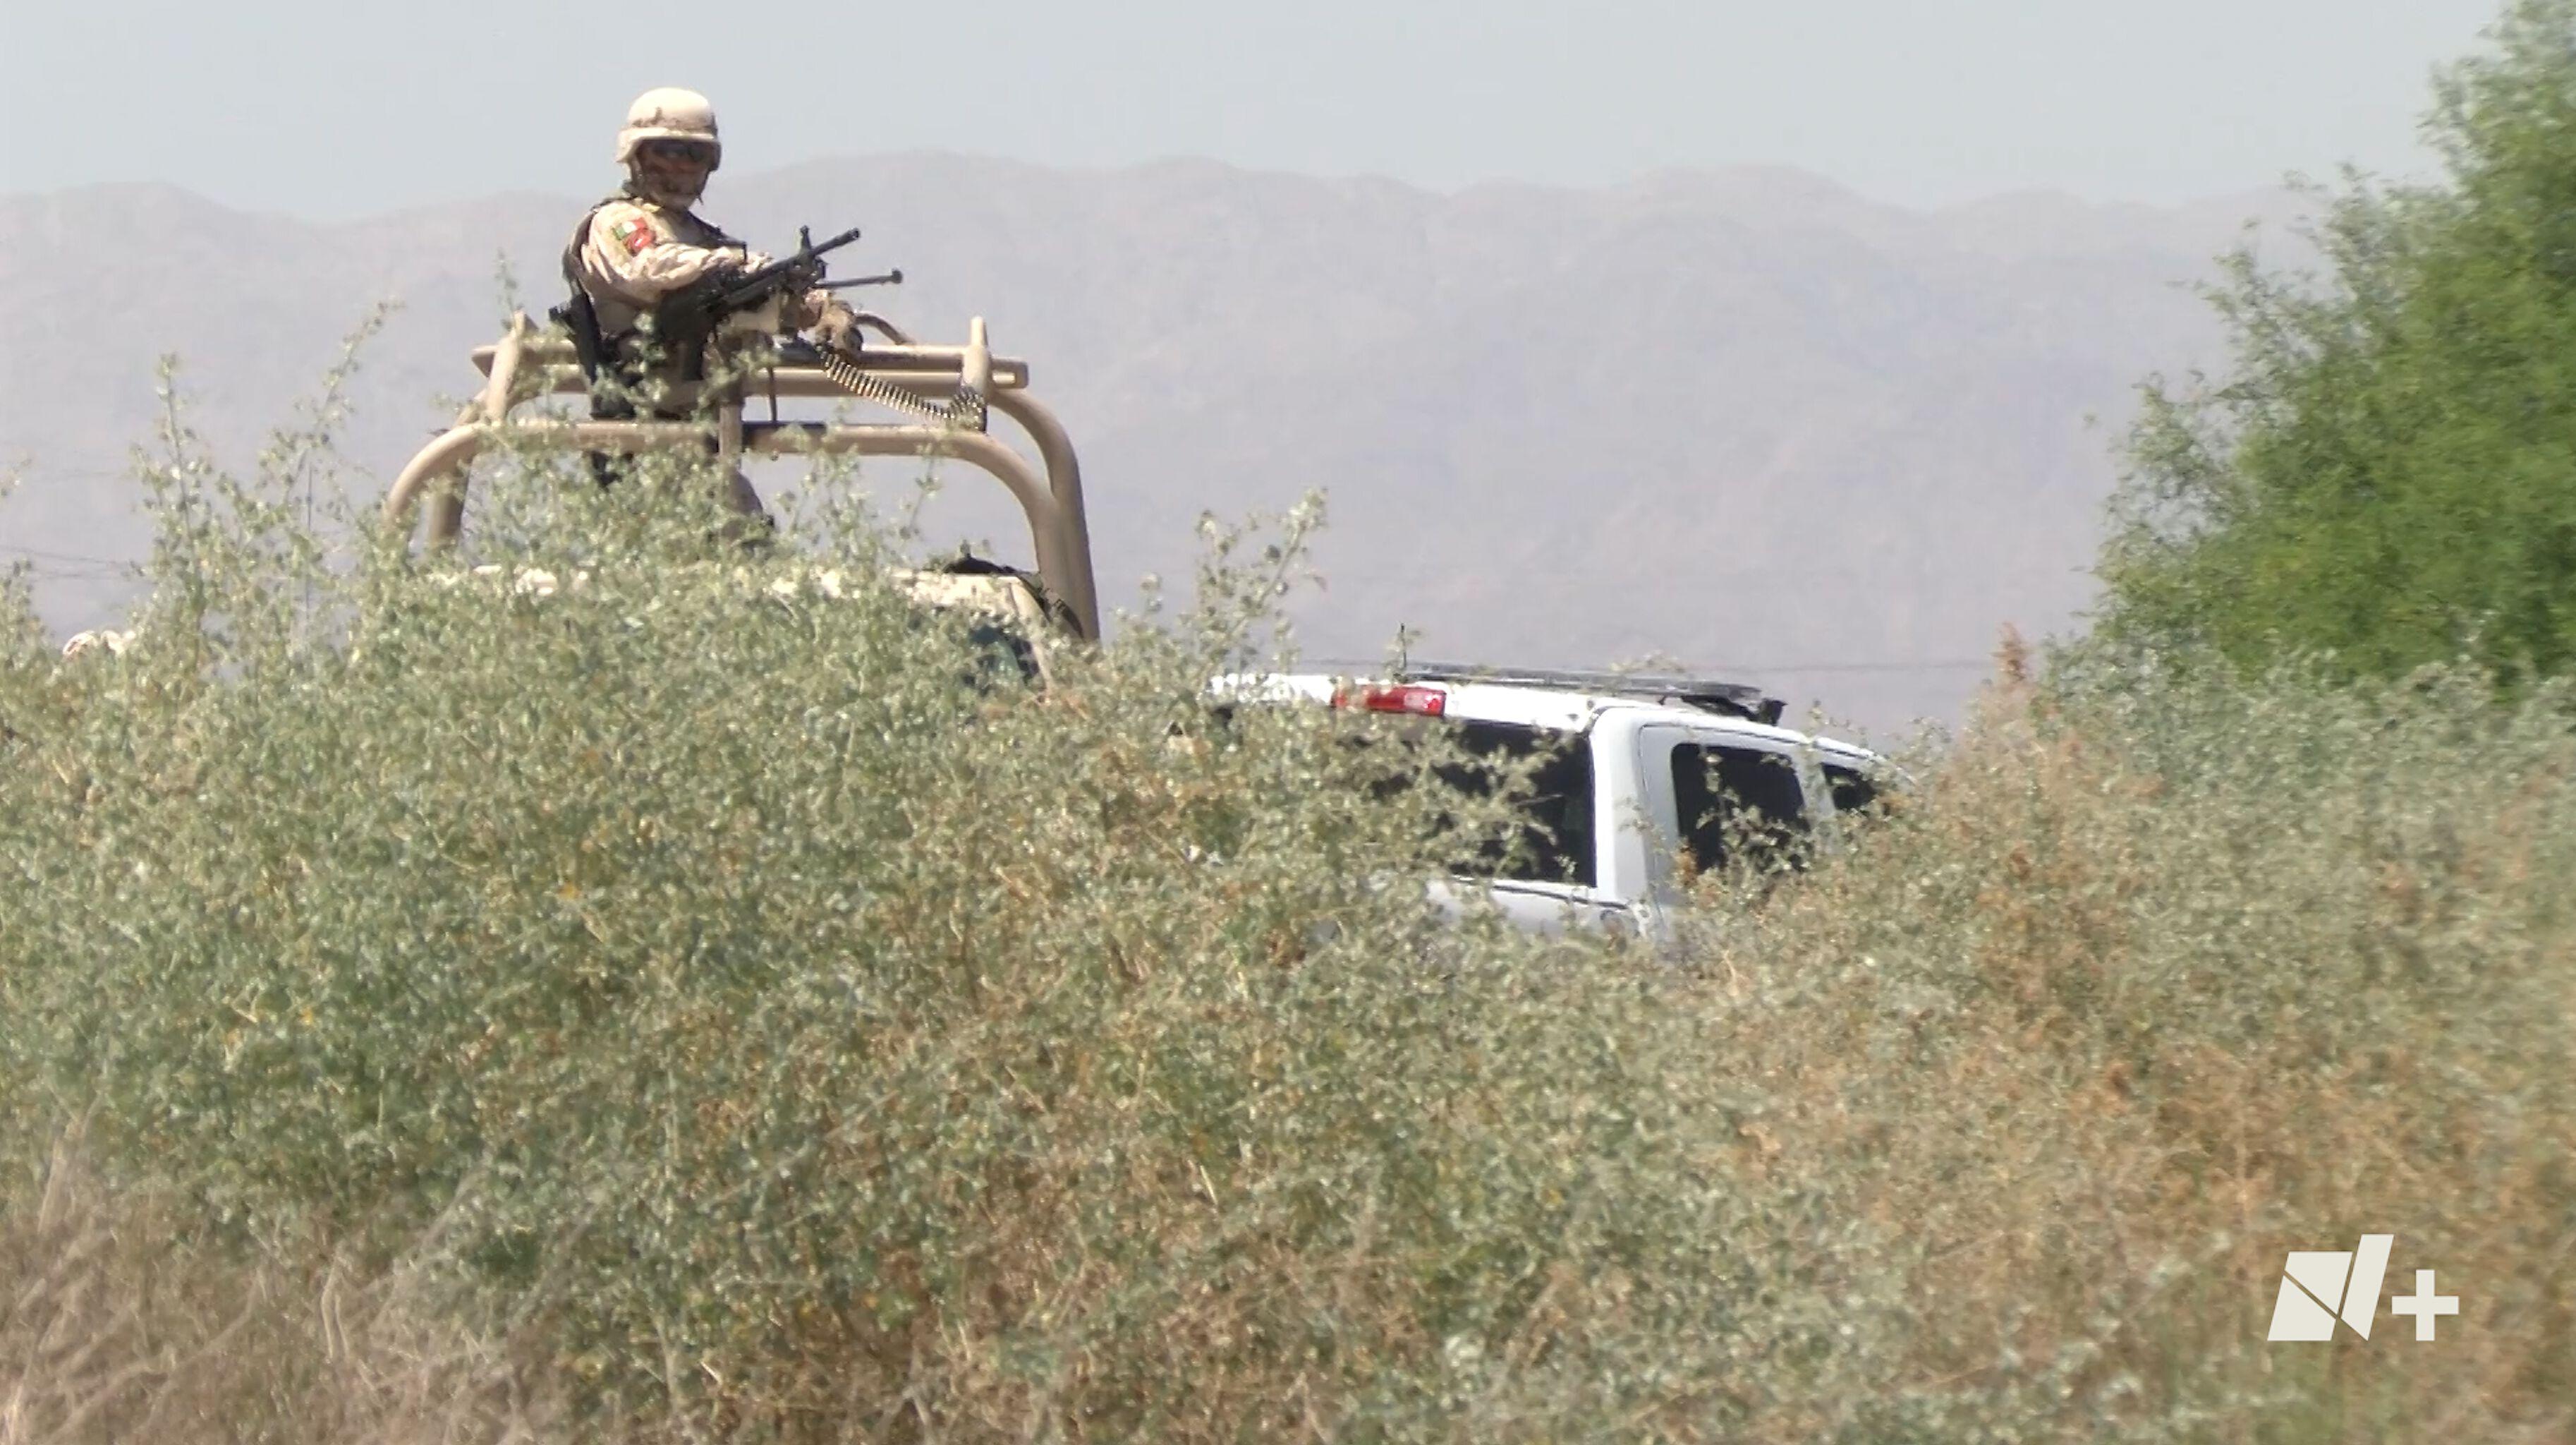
354,107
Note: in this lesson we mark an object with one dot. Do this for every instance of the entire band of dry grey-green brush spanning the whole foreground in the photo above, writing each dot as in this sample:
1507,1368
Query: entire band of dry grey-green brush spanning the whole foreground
720,1006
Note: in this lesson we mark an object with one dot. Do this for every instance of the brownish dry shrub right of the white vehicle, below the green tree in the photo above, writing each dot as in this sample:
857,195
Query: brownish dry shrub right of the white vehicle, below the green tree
2160,977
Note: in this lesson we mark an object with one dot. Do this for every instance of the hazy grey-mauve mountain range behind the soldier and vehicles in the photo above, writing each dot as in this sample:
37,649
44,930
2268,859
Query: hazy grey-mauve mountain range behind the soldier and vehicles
1743,421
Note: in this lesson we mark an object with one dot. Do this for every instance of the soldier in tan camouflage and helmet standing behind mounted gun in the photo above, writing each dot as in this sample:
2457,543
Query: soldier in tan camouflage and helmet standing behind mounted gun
645,243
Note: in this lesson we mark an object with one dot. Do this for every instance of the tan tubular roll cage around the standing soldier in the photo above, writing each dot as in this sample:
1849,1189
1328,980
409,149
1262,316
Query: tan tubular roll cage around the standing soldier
537,362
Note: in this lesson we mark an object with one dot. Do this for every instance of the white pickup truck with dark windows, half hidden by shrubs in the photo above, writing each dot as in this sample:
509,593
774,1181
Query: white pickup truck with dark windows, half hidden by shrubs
1640,779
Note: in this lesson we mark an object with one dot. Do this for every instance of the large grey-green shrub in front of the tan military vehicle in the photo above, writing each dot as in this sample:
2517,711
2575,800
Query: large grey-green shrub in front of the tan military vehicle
790,1024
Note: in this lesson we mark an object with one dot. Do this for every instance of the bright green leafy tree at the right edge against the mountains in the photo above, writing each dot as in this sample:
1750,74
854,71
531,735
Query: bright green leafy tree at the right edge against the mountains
2384,475
